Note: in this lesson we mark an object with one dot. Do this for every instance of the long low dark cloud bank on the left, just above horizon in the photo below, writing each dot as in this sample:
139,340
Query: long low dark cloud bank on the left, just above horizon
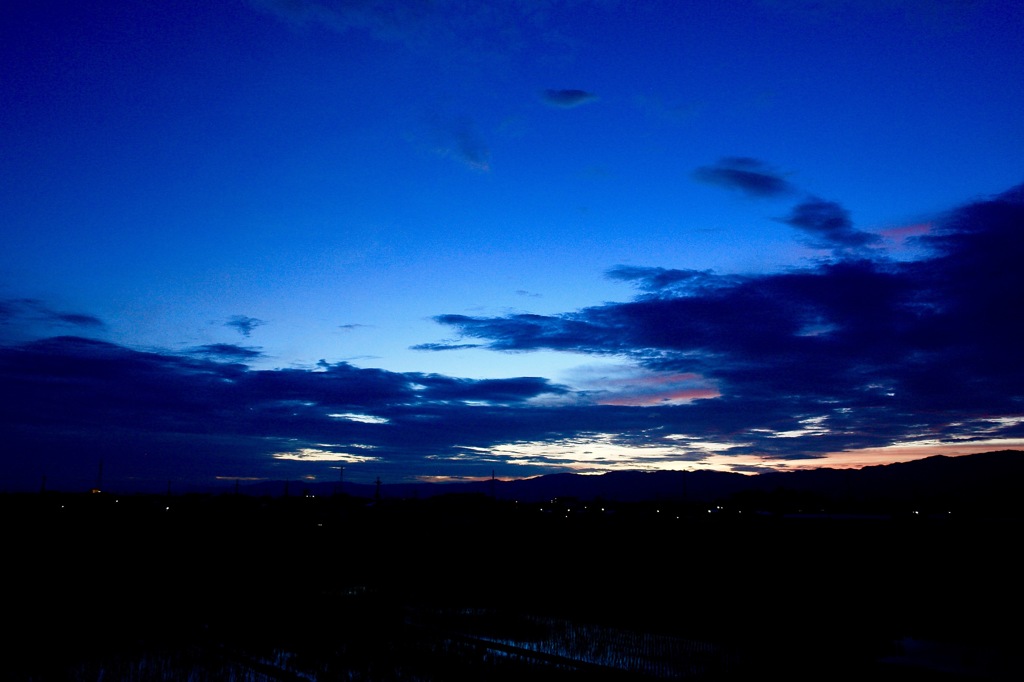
68,402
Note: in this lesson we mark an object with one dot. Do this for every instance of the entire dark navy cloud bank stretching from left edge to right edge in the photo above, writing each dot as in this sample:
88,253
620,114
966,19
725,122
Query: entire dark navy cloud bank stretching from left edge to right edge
850,354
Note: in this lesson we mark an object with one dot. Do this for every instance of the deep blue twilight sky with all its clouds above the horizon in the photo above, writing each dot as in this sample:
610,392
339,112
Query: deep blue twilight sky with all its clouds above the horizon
441,241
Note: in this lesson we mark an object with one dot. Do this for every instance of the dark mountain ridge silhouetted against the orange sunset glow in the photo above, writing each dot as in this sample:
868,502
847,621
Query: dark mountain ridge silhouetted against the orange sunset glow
988,482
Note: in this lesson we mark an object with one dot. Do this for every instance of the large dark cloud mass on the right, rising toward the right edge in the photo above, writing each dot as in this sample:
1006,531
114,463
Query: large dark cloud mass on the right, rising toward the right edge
852,354
